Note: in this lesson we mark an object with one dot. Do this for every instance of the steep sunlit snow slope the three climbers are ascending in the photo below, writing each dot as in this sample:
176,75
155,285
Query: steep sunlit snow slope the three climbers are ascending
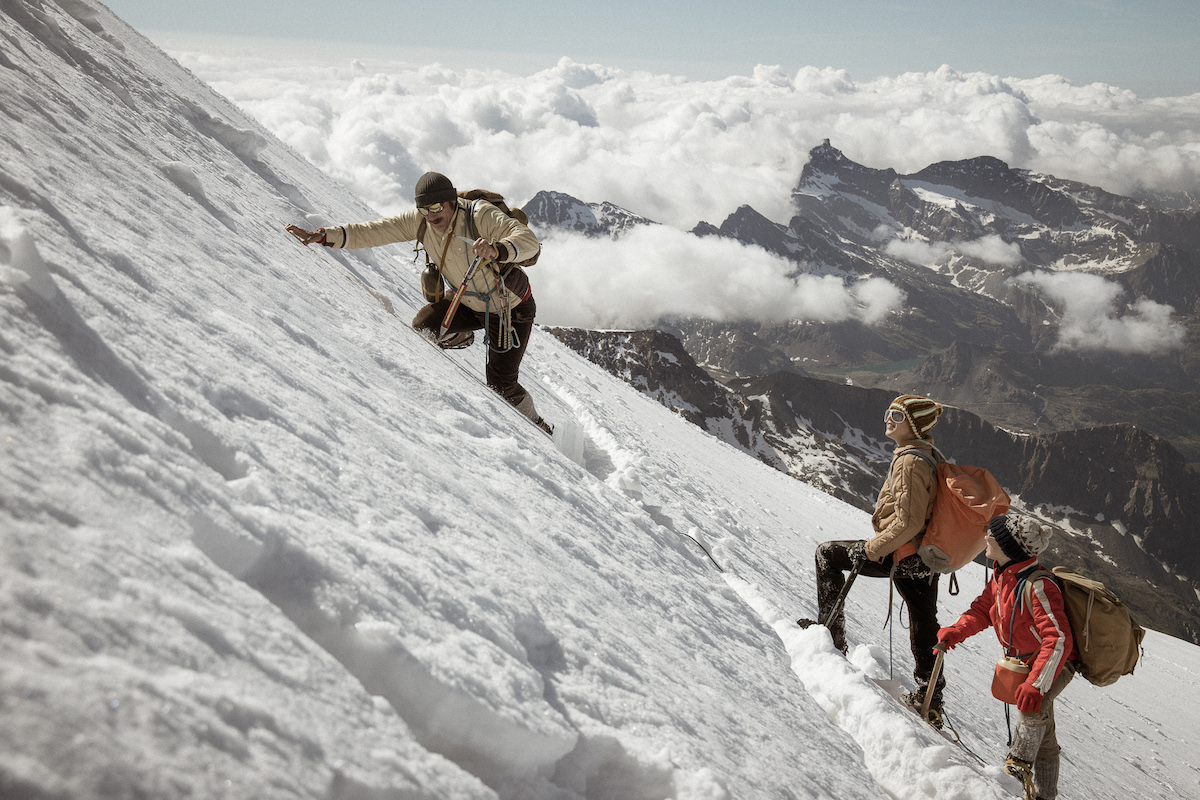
261,540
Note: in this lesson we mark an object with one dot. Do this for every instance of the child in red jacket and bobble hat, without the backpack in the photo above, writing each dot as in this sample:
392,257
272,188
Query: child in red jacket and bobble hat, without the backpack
1031,624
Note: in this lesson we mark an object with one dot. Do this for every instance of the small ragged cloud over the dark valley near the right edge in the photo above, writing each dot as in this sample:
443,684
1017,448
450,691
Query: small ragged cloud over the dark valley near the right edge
1093,320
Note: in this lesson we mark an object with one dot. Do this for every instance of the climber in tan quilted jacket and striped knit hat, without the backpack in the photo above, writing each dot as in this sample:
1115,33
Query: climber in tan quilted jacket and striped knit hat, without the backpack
902,513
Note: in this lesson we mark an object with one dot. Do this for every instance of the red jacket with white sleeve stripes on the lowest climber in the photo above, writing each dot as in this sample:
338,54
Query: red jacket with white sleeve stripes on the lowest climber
1041,634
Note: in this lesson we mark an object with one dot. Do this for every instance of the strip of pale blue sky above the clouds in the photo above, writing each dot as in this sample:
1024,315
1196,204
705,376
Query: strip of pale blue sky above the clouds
1149,47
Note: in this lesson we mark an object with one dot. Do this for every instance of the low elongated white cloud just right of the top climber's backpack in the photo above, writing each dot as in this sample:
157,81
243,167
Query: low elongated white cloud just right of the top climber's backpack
657,272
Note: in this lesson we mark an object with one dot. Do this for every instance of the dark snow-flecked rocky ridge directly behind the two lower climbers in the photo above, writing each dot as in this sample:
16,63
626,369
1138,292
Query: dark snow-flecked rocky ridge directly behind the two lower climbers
1124,502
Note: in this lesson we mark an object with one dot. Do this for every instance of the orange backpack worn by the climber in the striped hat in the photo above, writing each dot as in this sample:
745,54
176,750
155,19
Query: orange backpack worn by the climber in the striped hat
968,498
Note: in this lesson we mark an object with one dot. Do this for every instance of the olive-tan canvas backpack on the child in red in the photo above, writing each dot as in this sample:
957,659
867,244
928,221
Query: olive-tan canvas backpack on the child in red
1108,639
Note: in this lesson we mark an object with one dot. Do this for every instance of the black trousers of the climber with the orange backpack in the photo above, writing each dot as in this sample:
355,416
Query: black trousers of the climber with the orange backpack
917,586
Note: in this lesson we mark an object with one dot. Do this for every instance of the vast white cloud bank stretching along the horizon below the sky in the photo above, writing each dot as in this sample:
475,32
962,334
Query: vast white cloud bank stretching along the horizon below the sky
681,152
